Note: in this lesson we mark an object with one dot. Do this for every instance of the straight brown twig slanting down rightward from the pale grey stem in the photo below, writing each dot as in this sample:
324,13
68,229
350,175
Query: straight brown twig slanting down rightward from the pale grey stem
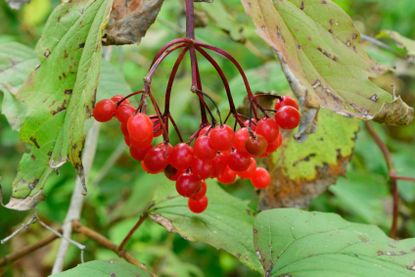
103,241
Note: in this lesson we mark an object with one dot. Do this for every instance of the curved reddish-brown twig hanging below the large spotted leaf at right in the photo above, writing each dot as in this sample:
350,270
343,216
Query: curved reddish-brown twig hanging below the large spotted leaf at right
391,172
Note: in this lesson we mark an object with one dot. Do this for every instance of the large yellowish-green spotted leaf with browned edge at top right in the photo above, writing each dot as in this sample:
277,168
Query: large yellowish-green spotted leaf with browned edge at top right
320,52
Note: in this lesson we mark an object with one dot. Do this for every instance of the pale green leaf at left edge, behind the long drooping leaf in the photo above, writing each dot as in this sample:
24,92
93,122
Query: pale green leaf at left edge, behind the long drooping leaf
16,63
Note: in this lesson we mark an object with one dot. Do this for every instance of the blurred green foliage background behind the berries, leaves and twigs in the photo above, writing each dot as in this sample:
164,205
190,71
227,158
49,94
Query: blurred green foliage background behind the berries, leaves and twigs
118,188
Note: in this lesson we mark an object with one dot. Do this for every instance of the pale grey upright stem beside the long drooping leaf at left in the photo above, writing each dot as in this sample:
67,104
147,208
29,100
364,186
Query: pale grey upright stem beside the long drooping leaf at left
77,200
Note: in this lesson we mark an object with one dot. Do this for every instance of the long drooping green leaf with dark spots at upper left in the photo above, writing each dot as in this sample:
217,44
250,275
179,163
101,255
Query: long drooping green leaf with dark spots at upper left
58,96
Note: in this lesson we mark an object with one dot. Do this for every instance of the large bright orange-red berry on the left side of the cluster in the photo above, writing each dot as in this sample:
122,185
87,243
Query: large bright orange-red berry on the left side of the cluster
140,128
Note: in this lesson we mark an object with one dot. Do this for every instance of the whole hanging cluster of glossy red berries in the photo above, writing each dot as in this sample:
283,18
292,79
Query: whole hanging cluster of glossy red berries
218,151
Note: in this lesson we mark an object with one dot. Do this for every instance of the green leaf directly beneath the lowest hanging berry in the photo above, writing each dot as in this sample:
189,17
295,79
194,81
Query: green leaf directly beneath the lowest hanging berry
226,223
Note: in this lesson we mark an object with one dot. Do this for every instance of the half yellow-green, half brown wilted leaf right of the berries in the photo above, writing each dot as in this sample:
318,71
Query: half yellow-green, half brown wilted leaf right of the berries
302,171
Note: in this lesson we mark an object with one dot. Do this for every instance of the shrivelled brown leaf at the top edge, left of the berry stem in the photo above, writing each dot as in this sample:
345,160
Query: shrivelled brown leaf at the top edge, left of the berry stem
130,20
